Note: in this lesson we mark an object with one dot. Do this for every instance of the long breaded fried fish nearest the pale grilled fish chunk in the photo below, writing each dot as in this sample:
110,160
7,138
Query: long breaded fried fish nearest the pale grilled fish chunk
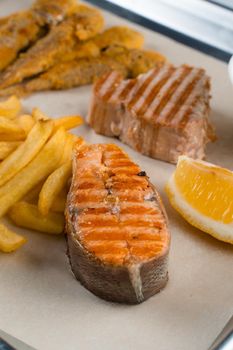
65,75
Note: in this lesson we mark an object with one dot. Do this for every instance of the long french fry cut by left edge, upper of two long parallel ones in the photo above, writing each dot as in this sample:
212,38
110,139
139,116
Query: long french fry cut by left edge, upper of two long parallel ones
26,151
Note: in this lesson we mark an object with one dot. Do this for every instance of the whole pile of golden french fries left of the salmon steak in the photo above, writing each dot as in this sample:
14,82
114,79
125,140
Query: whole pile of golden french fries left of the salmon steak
35,170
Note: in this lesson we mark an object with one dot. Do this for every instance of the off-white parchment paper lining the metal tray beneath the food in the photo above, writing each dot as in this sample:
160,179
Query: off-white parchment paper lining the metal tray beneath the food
42,304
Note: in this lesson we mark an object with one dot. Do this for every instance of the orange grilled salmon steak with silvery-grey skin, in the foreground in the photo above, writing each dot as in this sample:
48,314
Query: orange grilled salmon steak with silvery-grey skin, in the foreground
117,234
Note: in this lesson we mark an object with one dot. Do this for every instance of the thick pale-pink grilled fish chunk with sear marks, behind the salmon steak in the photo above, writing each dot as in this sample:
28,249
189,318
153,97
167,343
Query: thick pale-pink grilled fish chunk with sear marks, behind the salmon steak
163,113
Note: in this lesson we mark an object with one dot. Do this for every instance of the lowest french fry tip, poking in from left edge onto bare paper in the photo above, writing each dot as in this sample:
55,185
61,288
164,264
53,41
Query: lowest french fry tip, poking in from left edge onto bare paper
9,240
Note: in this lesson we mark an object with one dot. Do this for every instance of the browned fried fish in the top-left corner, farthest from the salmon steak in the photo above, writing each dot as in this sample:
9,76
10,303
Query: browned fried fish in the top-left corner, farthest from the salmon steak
19,30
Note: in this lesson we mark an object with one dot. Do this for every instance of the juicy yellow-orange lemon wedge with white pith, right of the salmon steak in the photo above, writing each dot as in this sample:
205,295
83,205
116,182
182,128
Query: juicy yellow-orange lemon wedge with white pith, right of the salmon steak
203,194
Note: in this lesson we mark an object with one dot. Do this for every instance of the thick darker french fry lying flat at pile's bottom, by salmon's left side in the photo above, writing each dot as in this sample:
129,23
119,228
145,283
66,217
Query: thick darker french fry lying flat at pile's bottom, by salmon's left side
27,215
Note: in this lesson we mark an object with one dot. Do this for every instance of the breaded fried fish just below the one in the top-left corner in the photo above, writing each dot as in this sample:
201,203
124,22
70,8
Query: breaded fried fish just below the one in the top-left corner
81,25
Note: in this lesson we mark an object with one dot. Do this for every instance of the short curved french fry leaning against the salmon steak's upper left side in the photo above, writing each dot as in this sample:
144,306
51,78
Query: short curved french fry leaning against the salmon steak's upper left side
52,186
